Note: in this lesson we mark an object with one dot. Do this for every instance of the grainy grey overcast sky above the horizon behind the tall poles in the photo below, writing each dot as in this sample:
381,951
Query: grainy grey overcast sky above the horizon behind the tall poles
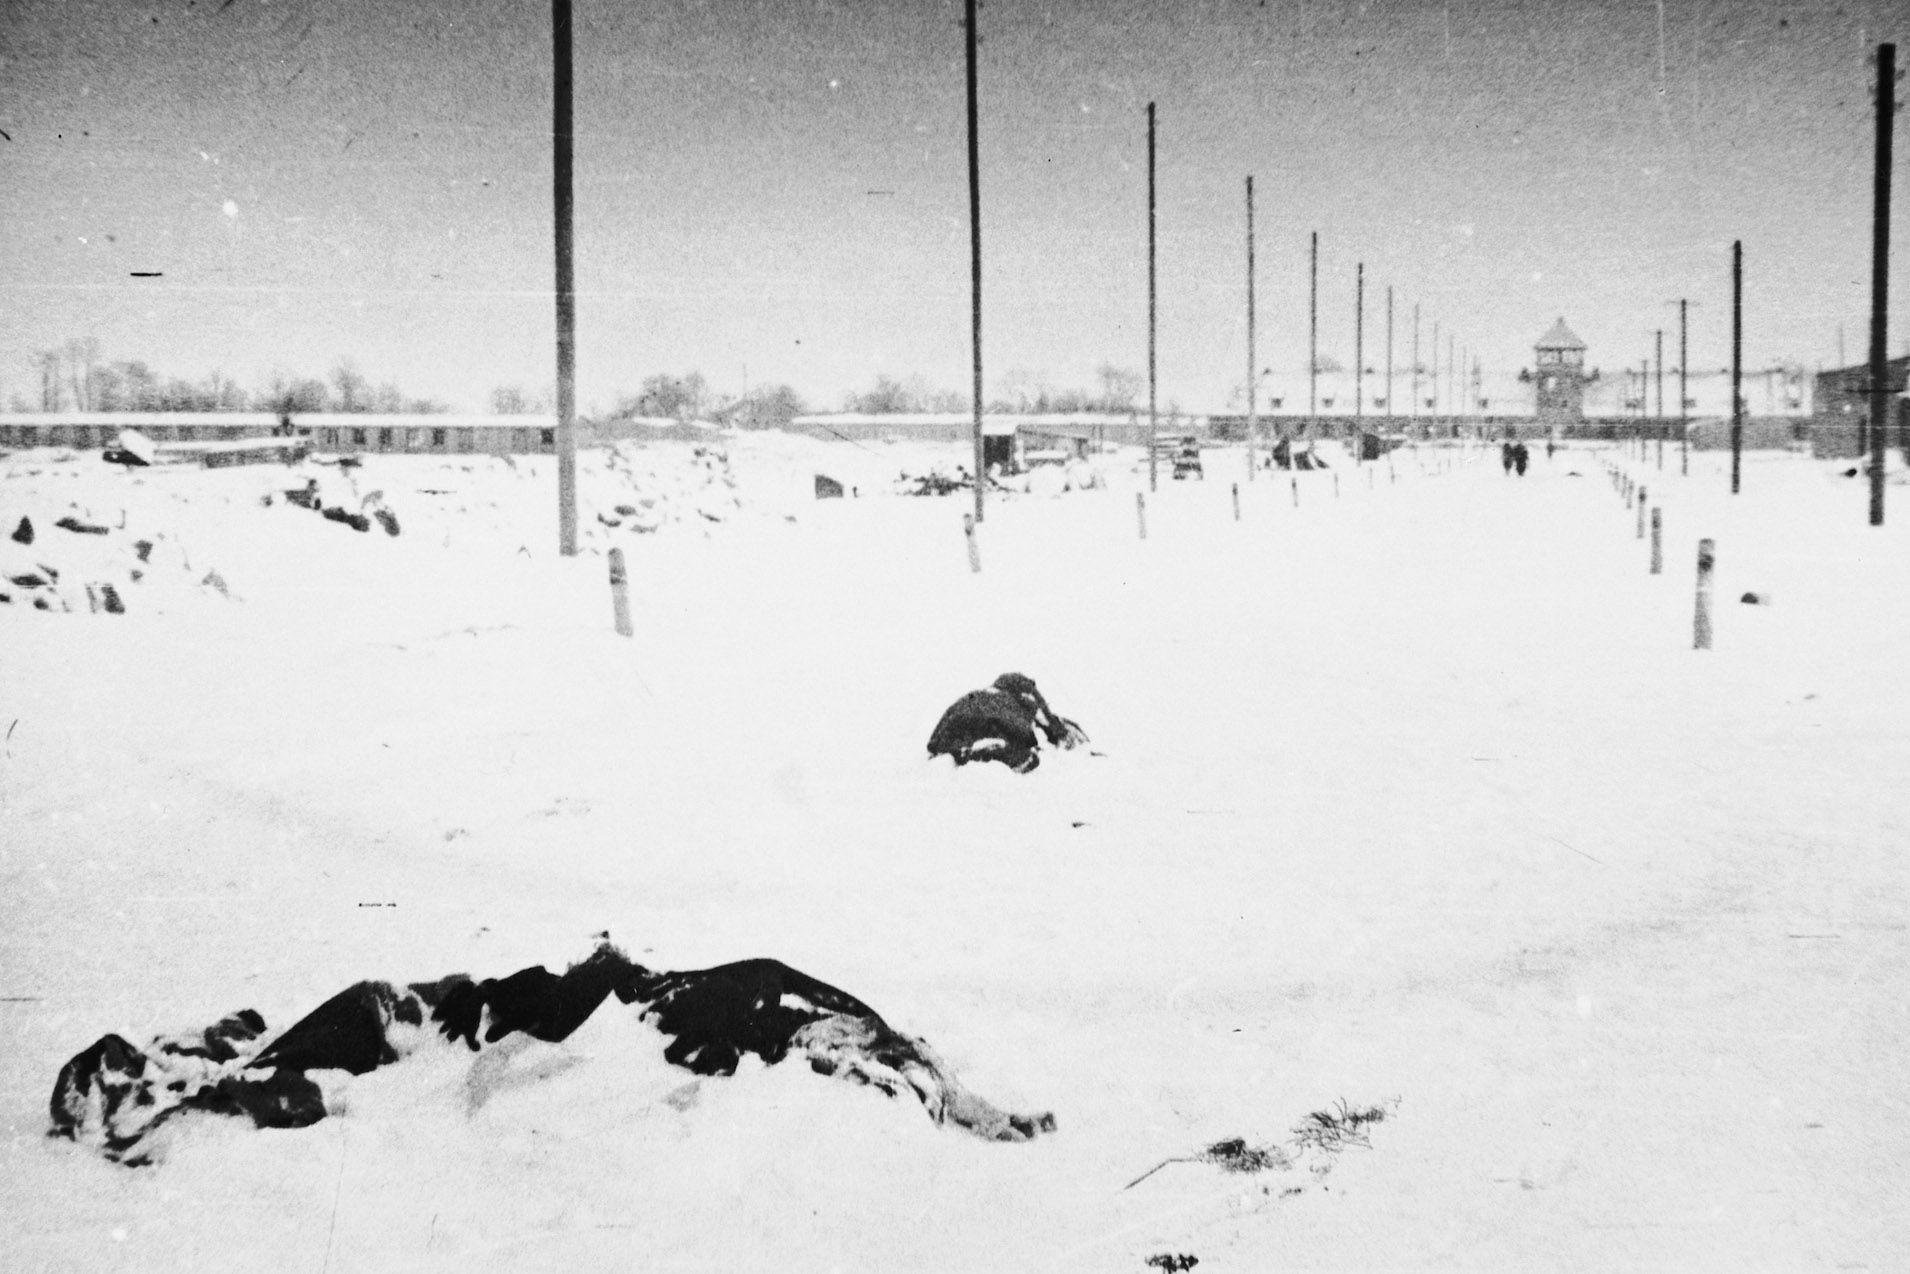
778,190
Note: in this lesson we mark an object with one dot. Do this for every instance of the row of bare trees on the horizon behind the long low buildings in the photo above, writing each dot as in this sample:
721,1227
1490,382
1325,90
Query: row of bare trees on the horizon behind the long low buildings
79,379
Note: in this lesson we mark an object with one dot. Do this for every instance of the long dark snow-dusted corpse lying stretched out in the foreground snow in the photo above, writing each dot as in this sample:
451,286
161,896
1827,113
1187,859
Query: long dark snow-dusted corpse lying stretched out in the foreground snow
114,1095
